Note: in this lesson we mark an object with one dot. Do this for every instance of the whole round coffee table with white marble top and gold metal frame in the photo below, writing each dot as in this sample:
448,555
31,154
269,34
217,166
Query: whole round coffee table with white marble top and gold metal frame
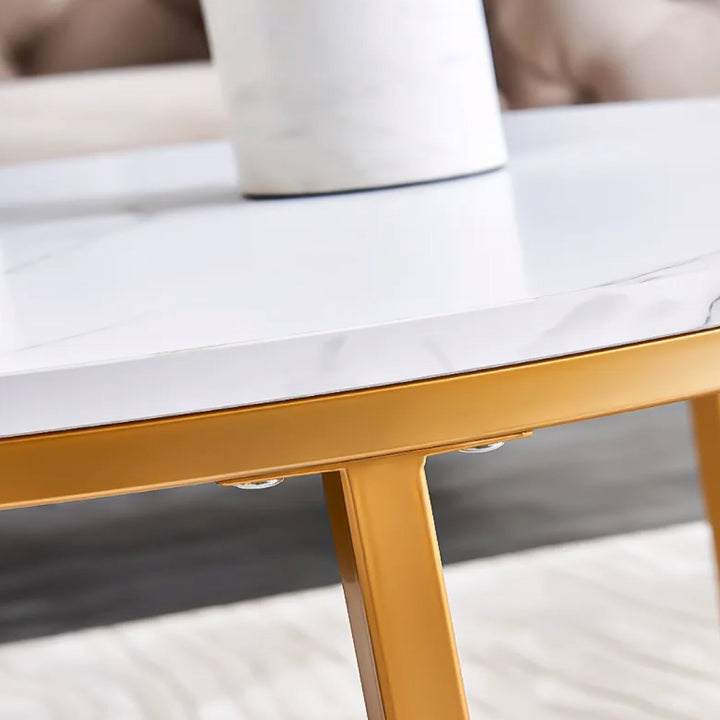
157,331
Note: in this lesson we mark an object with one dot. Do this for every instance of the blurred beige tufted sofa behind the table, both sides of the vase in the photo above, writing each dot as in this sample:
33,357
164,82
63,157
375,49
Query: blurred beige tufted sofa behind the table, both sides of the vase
547,52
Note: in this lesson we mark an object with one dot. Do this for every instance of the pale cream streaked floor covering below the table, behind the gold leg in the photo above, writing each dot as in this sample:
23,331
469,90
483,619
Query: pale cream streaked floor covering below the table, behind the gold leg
623,628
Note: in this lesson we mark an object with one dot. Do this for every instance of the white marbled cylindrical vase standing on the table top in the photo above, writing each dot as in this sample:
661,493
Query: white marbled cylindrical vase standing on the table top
338,95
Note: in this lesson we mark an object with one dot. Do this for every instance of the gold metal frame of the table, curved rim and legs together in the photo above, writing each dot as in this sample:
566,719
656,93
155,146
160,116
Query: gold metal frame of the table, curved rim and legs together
371,447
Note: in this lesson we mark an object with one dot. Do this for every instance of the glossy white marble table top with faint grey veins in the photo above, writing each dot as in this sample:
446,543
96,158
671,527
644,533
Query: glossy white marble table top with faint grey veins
137,284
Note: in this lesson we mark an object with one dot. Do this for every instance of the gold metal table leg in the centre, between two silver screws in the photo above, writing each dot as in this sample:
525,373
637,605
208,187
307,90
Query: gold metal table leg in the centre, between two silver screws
395,591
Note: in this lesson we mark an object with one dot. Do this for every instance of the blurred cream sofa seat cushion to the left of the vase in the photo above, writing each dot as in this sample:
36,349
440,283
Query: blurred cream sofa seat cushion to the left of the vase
80,113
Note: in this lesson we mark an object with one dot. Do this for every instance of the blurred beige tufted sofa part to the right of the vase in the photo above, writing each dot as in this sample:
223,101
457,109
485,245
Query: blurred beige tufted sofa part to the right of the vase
551,52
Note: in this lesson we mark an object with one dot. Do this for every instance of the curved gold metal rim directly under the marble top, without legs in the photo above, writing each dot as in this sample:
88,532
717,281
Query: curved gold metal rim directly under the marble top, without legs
325,433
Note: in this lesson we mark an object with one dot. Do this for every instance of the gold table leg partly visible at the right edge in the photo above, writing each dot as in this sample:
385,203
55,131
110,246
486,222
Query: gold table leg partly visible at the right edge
706,416
